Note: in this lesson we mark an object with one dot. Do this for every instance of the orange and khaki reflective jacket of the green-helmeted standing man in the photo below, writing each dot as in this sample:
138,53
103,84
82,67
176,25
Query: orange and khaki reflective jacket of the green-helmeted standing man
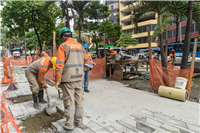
70,61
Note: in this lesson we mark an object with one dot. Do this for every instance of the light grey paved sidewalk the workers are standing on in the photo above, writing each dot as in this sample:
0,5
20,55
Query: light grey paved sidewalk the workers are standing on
114,107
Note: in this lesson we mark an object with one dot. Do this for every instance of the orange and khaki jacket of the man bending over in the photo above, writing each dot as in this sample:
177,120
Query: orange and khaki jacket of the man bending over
41,66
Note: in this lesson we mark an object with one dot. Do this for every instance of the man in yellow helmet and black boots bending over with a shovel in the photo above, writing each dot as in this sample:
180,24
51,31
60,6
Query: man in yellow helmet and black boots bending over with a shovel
35,75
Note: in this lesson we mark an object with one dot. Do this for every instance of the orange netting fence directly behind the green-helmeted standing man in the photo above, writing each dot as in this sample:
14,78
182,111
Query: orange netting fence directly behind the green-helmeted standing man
98,71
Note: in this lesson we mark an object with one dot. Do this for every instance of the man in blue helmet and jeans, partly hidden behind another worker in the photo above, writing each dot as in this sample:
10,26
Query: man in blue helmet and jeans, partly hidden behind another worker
86,69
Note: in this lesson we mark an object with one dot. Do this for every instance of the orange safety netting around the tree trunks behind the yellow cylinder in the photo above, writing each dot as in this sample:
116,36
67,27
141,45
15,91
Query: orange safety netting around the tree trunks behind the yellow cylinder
167,76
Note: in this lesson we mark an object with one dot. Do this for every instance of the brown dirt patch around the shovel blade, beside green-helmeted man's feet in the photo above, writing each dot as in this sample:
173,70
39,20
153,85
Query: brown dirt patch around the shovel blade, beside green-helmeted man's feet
40,122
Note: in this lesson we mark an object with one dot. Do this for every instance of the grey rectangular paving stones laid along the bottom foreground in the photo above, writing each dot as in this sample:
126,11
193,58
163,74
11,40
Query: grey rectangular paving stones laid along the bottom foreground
144,121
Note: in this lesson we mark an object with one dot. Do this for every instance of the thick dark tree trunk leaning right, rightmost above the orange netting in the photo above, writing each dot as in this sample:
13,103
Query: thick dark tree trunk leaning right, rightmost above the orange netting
186,45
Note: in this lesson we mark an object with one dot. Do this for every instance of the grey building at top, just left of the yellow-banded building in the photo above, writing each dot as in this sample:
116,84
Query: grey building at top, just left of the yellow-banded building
114,10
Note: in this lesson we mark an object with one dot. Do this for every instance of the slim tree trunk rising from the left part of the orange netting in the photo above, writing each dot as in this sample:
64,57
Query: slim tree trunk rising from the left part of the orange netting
162,52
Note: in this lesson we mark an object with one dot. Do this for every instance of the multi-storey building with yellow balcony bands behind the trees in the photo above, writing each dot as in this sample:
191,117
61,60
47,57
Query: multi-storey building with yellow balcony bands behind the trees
149,19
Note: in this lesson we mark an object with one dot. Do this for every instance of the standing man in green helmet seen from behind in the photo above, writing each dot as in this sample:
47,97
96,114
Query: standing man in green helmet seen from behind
69,69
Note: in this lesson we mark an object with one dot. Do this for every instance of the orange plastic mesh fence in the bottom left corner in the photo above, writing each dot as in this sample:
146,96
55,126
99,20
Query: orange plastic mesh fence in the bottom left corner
6,119
